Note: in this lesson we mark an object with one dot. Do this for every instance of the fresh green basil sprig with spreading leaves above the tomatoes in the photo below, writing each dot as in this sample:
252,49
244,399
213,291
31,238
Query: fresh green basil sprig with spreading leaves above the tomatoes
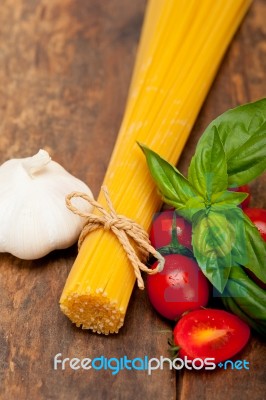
231,152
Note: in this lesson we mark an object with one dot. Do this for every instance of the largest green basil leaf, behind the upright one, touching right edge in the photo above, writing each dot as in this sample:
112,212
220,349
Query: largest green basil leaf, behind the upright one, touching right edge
242,131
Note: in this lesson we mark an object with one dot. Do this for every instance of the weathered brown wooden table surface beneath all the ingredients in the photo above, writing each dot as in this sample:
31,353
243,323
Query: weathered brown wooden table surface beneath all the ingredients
65,68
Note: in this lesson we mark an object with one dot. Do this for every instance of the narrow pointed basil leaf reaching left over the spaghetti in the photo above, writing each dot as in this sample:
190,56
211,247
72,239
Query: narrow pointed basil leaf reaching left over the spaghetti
173,186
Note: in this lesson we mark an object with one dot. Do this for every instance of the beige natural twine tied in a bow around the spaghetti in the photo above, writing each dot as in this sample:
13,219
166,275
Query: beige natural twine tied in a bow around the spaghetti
124,229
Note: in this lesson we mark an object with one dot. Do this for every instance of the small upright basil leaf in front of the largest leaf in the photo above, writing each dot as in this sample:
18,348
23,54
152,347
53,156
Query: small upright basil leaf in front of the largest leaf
208,168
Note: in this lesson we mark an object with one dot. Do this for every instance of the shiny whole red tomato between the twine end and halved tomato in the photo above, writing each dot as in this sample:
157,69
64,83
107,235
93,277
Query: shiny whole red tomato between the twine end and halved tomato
180,287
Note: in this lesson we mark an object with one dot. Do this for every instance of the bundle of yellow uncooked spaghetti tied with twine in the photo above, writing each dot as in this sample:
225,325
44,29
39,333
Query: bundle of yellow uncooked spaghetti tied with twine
182,44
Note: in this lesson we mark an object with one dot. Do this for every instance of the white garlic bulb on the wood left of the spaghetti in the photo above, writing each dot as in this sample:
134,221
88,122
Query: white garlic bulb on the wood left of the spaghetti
34,219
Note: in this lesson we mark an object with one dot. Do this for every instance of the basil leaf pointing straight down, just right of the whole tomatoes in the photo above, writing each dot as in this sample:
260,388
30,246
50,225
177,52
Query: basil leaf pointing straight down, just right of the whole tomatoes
212,246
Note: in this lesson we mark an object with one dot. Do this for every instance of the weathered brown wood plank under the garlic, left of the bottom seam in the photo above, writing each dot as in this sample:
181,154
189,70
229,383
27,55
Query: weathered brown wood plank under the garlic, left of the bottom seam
65,70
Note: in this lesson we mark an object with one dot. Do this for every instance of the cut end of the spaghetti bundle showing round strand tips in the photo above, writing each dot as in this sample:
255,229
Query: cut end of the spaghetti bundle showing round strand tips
93,311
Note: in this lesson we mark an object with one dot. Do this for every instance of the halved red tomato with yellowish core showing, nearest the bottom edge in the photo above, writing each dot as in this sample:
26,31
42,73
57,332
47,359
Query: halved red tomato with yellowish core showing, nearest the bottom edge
210,333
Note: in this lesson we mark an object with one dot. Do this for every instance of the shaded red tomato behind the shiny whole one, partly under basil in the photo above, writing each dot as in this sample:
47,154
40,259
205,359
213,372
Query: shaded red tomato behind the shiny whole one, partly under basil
161,230
